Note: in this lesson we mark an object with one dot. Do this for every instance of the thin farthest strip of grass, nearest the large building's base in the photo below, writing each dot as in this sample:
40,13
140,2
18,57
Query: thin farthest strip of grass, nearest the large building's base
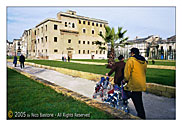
157,62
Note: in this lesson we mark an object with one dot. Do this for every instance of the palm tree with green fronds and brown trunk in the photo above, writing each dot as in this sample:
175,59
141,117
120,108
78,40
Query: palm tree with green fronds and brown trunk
111,37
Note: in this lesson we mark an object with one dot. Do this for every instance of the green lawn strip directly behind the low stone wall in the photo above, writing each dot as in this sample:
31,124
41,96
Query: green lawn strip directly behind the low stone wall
160,76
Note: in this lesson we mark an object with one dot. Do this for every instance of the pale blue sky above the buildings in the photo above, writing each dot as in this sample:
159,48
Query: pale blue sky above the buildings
138,21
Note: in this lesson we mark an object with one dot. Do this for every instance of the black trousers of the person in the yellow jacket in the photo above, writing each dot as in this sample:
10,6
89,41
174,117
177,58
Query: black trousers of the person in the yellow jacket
136,97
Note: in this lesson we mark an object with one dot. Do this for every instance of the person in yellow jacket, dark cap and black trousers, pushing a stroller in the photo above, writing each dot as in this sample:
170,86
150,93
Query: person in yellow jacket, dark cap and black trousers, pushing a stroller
135,76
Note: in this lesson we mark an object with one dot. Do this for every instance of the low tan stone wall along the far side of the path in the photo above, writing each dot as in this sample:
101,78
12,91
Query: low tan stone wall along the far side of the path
157,89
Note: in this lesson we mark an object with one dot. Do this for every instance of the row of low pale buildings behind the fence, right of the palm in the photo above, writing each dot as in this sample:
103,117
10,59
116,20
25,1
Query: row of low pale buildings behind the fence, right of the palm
151,47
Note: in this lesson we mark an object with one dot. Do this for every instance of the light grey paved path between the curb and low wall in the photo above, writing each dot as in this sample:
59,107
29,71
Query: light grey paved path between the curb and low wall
156,107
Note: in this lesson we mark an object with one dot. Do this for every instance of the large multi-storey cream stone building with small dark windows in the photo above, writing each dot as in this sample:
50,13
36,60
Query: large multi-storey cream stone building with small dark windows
67,35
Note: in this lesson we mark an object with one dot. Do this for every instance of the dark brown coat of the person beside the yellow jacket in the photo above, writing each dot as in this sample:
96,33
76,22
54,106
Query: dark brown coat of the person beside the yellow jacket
118,68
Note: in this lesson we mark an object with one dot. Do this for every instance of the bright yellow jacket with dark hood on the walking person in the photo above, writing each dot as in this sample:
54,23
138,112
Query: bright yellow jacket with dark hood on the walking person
135,74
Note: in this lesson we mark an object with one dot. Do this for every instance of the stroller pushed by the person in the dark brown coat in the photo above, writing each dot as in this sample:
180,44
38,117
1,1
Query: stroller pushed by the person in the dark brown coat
101,88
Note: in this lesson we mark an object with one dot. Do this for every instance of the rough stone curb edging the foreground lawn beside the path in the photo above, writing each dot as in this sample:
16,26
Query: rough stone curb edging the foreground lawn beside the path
118,114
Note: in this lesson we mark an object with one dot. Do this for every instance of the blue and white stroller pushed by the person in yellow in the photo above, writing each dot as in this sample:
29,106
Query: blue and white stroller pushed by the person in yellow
118,98
